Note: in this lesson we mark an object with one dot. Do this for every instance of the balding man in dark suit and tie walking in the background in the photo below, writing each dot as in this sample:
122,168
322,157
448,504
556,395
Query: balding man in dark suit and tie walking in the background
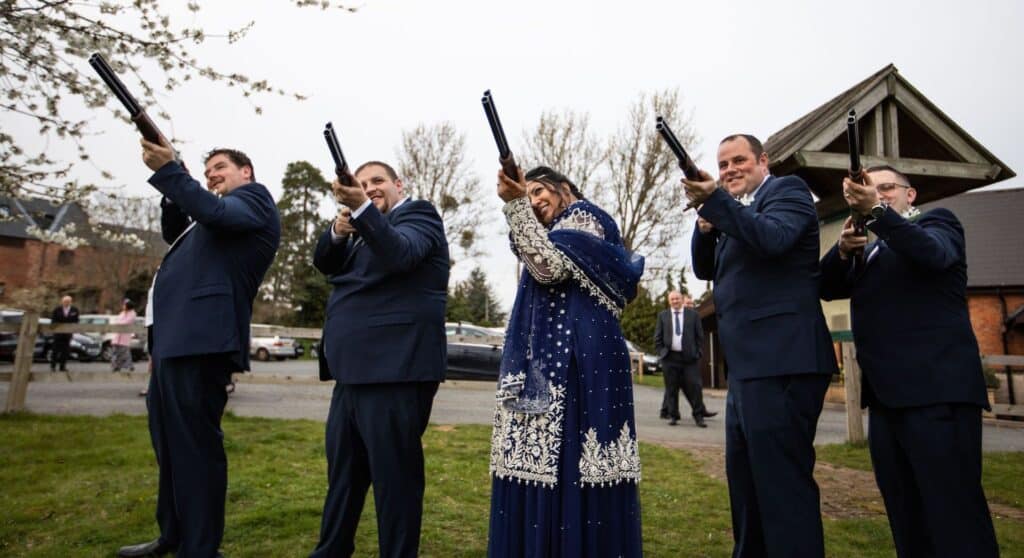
679,342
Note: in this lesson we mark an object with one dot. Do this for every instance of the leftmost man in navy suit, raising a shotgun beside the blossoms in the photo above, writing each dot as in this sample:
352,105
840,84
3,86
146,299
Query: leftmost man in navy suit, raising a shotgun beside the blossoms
223,243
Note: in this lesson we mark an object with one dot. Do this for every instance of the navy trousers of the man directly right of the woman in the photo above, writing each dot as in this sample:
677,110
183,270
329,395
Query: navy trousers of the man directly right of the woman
770,460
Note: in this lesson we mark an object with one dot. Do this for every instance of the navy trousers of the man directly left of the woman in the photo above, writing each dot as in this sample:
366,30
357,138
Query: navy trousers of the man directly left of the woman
373,437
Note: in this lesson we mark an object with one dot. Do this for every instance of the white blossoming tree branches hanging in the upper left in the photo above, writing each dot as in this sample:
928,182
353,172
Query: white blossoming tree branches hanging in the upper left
45,46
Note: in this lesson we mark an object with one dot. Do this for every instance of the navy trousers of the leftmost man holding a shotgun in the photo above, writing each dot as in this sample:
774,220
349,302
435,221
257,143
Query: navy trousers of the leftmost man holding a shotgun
186,401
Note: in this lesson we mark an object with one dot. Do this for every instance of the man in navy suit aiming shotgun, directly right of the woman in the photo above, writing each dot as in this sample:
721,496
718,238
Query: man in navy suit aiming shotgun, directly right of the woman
758,240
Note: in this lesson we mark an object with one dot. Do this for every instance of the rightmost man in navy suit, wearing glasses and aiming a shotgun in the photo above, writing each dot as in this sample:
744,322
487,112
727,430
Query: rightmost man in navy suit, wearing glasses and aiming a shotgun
922,375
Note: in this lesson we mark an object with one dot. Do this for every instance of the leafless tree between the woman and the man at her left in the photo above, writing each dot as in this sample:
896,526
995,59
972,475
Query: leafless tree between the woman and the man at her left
433,164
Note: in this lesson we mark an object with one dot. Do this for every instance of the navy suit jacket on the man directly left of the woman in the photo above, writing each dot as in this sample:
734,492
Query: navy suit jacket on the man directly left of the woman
386,318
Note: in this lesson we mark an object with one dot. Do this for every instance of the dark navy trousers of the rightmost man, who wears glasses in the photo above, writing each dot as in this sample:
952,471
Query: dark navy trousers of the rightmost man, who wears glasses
927,462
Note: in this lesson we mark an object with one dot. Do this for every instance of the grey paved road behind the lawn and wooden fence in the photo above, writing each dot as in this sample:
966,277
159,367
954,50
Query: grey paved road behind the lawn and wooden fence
290,391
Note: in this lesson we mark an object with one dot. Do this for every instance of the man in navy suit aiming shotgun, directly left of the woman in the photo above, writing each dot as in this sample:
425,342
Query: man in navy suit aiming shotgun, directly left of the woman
386,348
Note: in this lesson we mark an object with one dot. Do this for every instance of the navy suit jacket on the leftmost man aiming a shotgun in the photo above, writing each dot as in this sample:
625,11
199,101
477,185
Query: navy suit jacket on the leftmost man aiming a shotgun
205,287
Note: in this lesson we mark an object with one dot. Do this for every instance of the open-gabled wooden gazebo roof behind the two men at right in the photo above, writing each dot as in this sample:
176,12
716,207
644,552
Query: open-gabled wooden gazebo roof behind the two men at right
900,127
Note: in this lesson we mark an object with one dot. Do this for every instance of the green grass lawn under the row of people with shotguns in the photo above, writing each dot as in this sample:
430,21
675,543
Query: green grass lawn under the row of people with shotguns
83,487
